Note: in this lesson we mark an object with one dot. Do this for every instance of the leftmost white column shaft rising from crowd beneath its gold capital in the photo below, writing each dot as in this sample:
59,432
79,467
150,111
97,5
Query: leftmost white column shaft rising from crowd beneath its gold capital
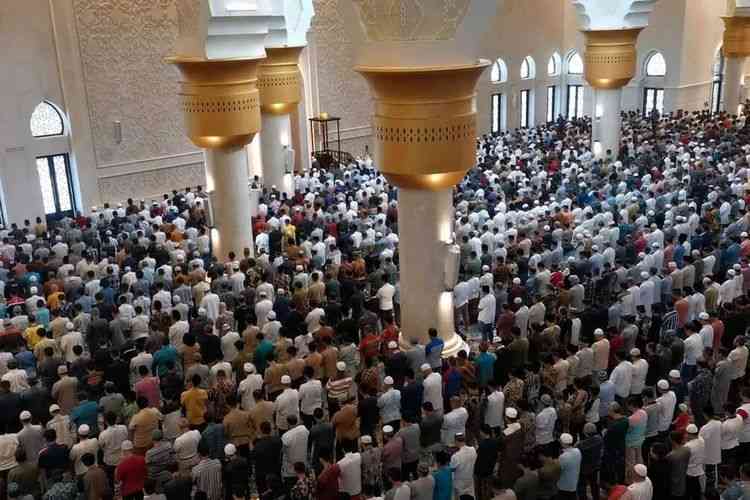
227,182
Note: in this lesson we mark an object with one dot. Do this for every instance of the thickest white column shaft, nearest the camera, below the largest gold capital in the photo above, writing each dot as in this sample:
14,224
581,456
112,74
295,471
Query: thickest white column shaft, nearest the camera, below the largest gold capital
425,226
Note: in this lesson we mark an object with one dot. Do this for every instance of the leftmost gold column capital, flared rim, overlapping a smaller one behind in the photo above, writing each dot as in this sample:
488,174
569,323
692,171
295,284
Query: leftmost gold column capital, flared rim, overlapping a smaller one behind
220,101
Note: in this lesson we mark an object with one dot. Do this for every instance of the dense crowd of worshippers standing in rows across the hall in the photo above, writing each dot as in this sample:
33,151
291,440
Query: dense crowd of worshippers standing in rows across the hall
604,303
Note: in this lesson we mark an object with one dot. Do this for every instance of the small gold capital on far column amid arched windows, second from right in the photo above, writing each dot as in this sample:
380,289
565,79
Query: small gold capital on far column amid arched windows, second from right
610,58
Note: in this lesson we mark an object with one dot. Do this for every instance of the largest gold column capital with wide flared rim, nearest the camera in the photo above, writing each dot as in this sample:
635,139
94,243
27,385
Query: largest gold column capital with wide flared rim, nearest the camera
425,123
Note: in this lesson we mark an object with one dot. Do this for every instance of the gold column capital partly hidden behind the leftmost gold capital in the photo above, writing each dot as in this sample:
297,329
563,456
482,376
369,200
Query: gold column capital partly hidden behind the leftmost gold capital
280,80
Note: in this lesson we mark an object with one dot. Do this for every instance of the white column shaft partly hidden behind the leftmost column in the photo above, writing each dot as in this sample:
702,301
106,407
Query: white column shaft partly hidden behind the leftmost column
277,133
